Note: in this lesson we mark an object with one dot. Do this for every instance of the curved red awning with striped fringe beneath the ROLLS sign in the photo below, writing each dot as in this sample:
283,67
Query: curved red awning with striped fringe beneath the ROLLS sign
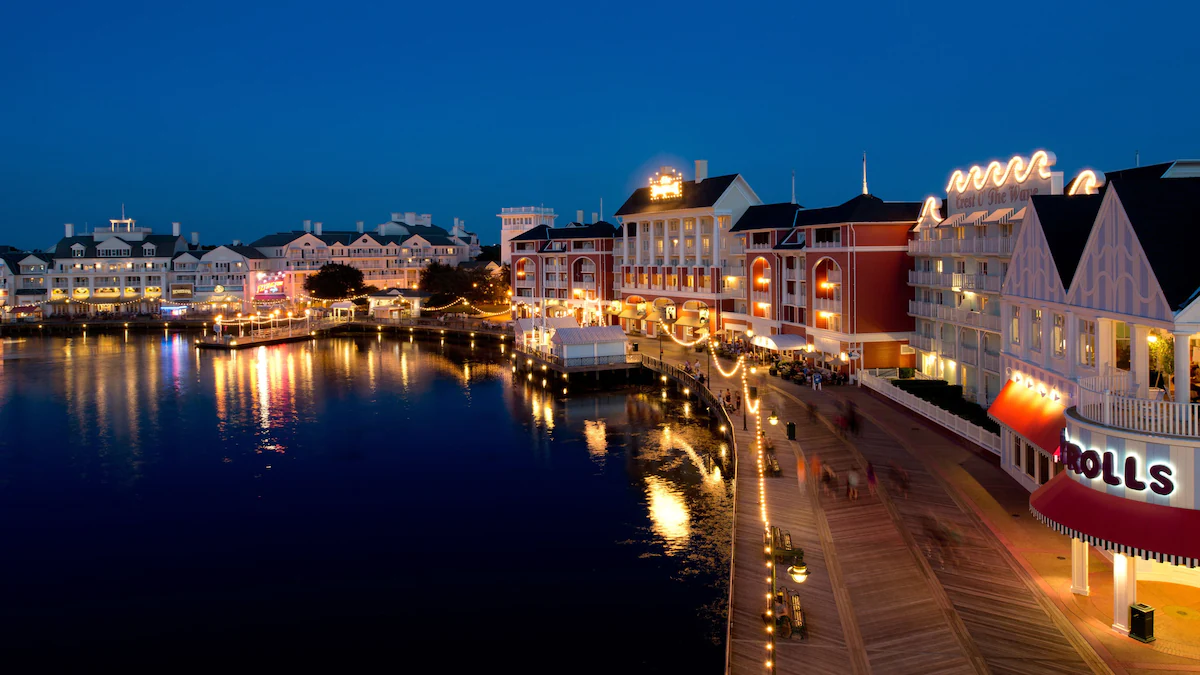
1126,527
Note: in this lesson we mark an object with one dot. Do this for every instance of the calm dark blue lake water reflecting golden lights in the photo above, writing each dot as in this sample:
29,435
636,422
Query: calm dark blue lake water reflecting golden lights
377,495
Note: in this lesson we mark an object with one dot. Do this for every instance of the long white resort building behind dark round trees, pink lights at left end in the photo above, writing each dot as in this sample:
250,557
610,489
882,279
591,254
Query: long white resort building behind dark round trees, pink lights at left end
391,256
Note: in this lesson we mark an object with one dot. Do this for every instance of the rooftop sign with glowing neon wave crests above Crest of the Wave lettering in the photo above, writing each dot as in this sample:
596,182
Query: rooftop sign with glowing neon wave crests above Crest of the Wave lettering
1003,184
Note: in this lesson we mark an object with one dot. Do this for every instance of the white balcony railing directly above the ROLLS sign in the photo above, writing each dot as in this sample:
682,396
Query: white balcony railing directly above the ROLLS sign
1111,401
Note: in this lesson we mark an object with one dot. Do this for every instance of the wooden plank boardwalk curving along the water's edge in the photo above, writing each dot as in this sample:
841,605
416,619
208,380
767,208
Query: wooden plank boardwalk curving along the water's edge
879,599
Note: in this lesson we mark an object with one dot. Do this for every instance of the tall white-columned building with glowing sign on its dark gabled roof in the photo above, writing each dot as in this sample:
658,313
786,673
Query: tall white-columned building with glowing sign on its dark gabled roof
679,264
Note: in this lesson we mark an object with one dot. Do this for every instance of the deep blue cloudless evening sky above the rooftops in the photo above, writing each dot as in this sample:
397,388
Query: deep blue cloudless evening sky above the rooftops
247,118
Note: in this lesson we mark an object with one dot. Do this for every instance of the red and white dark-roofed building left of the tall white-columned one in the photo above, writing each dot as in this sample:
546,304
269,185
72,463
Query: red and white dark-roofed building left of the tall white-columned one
565,271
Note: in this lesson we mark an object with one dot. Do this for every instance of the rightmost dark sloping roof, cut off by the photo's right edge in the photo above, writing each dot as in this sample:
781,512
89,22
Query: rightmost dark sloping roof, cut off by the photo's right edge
1166,216
